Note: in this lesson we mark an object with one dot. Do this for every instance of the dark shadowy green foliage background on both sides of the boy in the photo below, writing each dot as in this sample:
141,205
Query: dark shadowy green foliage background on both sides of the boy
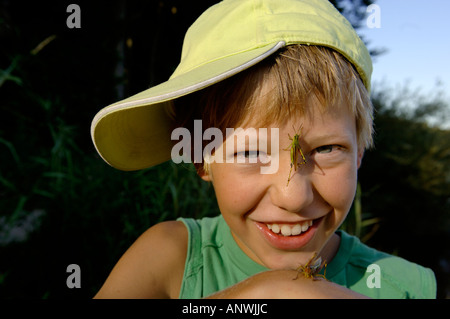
61,204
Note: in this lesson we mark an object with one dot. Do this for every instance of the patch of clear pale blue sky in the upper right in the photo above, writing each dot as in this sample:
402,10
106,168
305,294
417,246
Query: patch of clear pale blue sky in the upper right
415,34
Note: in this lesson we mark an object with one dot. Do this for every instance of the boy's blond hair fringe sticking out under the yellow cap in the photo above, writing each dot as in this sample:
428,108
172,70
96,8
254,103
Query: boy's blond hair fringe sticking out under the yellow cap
296,73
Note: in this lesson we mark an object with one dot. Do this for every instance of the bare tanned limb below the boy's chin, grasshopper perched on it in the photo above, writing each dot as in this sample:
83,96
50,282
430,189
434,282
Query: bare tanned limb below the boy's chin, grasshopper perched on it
280,284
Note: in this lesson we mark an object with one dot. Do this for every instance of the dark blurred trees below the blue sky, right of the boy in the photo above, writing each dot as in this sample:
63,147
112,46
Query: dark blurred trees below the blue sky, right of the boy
405,179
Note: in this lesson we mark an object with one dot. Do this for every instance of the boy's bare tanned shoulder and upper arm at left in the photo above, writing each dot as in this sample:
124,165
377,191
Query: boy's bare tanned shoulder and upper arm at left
152,267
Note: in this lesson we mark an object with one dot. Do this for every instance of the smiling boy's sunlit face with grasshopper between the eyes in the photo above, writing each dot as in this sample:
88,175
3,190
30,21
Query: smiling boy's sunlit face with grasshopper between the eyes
259,208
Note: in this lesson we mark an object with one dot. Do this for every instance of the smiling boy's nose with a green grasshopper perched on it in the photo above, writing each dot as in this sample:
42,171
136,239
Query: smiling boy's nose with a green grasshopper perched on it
296,195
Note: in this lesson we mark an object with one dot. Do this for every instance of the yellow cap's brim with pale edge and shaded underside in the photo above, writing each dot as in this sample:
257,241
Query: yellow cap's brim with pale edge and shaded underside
135,133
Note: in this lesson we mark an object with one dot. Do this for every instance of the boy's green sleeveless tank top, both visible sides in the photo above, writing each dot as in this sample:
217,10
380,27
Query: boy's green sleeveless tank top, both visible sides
214,262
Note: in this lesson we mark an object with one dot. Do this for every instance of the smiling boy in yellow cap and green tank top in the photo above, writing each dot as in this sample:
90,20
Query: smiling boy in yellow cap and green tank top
298,70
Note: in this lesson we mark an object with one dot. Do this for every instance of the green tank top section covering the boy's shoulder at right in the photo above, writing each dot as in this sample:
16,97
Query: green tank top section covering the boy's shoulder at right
378,274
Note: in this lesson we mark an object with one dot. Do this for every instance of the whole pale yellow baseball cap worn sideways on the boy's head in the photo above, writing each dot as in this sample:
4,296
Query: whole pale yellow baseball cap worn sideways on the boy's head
226,39
